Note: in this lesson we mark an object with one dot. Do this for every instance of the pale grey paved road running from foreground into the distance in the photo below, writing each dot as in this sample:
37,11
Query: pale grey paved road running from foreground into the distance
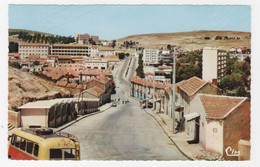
124,132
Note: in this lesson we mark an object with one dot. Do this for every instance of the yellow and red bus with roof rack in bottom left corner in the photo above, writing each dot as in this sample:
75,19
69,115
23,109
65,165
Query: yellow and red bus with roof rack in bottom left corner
43,144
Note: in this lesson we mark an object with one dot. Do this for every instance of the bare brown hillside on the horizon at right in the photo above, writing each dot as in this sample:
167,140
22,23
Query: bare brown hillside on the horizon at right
191,40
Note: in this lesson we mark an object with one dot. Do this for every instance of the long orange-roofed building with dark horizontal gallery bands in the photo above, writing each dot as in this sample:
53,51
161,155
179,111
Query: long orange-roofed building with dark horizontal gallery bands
68,49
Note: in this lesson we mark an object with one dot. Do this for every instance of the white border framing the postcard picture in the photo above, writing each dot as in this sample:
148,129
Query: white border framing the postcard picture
255,94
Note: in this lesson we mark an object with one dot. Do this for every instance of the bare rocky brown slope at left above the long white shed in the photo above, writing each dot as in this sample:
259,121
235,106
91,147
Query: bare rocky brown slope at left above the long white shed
24,87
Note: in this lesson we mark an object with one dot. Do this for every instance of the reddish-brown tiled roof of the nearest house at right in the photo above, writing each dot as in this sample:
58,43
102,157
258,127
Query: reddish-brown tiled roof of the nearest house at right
218,107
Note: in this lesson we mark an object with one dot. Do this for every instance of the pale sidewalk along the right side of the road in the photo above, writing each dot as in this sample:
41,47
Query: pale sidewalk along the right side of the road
191,151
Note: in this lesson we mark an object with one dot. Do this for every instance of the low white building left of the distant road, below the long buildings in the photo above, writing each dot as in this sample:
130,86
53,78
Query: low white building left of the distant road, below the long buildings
95,63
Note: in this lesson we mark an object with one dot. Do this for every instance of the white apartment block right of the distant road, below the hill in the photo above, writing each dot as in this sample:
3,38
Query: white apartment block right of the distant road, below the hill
150,56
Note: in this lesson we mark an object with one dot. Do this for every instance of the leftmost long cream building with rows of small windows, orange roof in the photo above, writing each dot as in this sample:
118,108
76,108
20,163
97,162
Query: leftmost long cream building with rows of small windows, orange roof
26,49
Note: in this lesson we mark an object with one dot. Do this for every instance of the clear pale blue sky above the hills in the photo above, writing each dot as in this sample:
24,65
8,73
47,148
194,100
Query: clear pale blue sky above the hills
118,21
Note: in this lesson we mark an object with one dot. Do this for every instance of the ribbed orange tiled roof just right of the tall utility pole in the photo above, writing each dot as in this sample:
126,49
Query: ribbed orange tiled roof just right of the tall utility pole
192,85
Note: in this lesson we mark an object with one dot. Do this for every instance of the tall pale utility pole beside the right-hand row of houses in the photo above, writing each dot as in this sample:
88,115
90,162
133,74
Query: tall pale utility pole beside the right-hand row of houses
173,91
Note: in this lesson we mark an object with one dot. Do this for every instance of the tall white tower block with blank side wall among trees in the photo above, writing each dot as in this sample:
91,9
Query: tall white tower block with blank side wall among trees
213,64
